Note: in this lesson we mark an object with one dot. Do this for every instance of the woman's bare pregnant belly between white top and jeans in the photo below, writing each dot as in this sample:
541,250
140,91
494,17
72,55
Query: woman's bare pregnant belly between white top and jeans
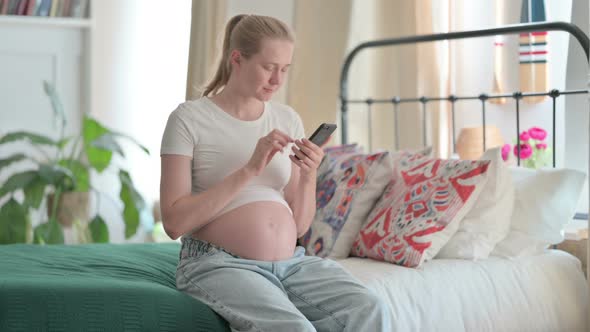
259,230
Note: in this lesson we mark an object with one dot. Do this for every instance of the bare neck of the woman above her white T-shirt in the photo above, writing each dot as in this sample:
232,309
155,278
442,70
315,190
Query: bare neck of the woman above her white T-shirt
237,105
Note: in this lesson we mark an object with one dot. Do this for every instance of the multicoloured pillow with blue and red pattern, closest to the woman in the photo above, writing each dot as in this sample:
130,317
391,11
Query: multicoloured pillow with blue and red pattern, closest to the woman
346,192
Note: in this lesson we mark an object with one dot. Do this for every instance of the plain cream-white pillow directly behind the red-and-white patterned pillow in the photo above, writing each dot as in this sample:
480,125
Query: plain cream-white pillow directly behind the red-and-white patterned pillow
488,222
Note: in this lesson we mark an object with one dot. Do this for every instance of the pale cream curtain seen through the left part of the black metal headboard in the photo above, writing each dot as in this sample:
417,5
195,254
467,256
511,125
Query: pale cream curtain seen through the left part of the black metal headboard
404,71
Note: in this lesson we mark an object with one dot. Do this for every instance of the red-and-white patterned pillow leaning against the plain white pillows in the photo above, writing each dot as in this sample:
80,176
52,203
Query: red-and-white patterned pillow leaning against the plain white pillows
420,209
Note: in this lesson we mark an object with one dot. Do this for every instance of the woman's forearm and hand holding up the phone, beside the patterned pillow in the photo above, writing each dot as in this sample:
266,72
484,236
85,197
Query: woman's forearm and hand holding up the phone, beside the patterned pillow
300,192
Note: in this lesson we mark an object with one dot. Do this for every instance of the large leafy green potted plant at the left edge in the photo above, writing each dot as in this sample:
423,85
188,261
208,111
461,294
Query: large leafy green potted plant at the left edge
61,178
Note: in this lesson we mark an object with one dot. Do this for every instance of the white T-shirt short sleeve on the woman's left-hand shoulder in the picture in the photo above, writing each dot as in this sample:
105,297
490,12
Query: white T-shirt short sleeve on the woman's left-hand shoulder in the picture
177,138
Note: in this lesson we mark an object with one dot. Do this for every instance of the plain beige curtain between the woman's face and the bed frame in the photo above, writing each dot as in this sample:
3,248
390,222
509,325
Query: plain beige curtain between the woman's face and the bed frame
321,29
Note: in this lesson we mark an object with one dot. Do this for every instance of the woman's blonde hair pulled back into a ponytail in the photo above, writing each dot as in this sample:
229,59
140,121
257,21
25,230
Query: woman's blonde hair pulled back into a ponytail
245,33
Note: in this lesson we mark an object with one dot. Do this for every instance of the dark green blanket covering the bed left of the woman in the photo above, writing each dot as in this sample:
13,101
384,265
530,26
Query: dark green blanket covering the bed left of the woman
97,287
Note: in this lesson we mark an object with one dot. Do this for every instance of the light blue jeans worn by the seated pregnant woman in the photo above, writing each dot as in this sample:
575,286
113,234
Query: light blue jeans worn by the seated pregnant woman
302,293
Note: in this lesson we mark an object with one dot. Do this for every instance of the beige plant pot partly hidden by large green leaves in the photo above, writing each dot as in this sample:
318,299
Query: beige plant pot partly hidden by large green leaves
72,206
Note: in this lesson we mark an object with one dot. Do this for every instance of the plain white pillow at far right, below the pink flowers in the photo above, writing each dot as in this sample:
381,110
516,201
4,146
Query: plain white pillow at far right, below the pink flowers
545,201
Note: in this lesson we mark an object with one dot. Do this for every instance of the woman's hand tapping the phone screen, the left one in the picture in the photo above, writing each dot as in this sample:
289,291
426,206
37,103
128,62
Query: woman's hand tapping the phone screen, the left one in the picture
266,147
